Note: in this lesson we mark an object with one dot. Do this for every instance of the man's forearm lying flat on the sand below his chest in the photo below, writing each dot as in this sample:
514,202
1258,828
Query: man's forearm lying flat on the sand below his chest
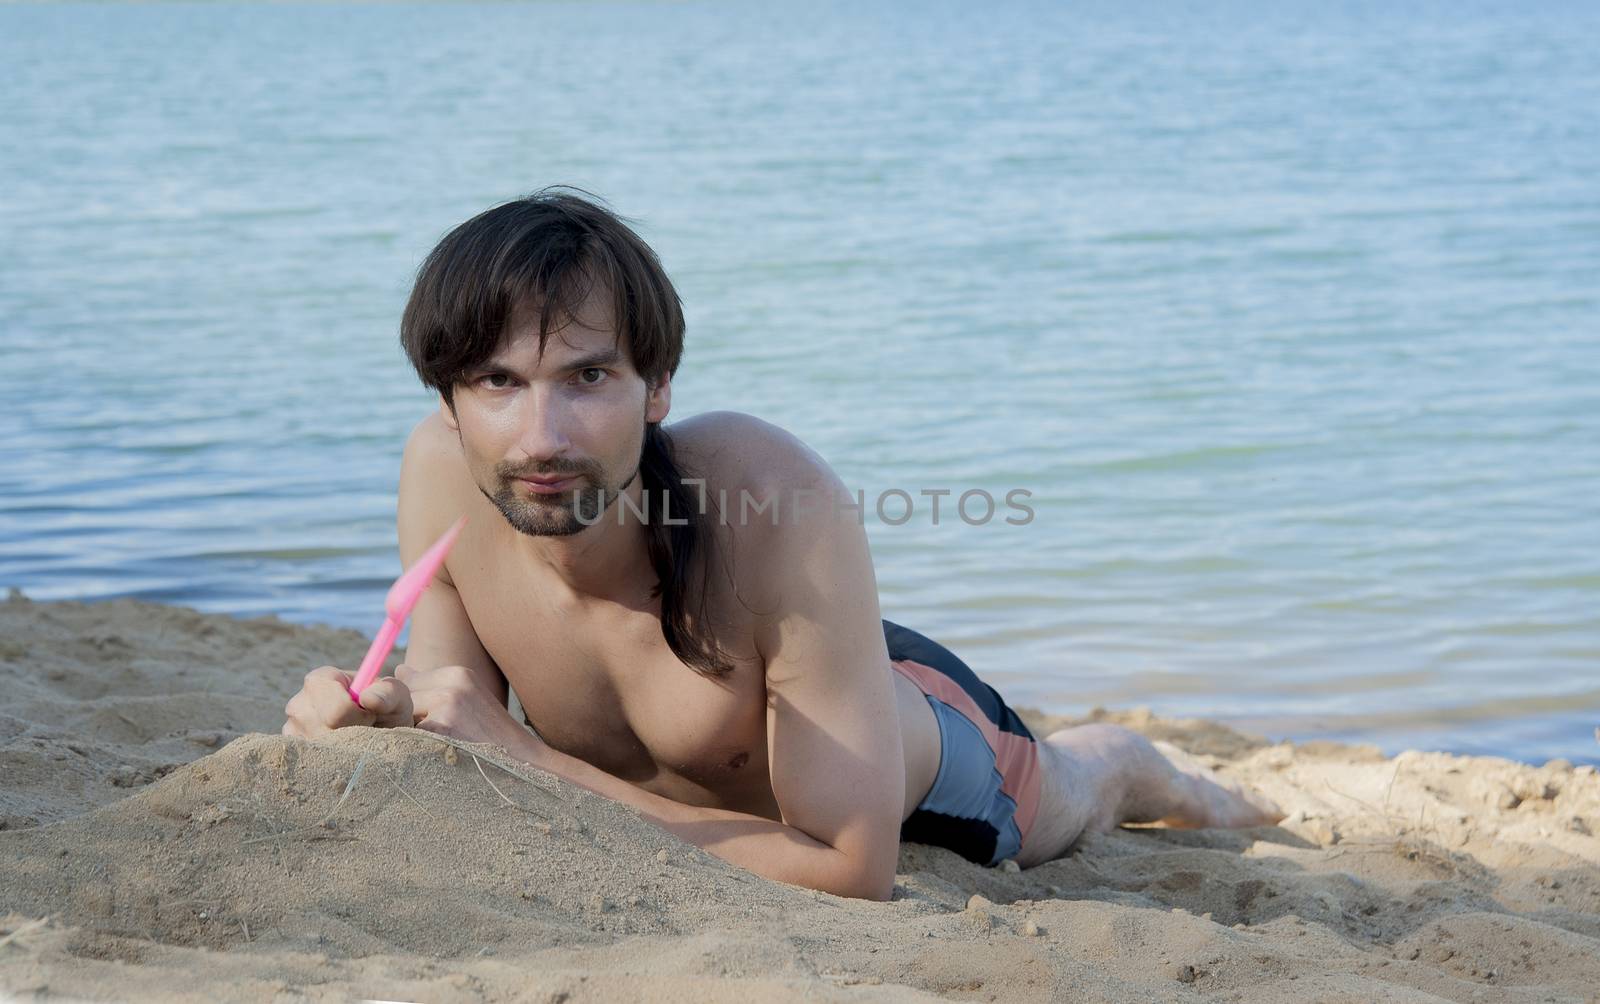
759,845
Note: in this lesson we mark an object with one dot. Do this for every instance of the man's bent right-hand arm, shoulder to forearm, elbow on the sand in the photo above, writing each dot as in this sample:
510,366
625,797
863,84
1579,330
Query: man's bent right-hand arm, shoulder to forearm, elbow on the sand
834,743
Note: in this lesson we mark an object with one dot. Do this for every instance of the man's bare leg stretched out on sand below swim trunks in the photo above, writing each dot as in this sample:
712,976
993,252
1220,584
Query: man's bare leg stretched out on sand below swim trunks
1097,778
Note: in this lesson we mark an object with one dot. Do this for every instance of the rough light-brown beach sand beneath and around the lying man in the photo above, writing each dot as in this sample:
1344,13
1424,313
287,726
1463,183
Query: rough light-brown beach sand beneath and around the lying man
161,842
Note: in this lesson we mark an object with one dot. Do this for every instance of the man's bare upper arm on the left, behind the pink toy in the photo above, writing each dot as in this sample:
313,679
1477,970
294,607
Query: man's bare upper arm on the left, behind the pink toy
441,631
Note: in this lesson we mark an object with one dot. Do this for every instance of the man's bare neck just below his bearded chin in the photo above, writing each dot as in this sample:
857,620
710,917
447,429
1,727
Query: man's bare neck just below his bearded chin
602,564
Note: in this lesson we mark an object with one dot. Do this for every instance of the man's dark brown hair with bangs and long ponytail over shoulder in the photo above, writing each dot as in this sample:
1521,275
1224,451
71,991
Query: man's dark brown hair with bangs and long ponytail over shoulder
550,250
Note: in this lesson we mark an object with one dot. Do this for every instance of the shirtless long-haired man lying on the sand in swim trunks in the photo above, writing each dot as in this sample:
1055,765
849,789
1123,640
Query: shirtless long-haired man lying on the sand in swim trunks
690,621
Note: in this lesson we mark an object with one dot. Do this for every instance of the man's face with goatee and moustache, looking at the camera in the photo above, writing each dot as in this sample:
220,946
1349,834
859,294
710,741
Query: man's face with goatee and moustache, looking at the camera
553,440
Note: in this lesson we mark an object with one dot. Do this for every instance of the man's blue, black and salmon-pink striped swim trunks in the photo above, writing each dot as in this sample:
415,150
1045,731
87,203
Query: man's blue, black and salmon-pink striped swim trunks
985,797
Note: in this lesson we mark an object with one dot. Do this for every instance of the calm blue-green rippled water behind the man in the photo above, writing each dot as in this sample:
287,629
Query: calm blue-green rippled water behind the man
1287,317
